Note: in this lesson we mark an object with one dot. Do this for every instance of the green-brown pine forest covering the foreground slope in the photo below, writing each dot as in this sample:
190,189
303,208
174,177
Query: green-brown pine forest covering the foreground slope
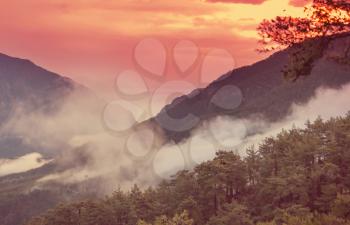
301,176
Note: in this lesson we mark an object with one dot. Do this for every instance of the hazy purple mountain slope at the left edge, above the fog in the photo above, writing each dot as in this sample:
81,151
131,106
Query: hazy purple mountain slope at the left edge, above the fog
22,82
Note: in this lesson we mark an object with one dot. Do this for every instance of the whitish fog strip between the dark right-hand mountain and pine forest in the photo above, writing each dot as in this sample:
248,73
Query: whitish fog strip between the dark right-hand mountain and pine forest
233,134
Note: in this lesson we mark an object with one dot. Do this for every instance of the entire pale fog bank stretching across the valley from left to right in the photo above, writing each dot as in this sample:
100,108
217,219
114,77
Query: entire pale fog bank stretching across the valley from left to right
80,140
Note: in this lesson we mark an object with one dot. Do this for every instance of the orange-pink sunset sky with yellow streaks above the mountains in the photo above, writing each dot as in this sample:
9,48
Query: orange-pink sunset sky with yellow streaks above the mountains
94,41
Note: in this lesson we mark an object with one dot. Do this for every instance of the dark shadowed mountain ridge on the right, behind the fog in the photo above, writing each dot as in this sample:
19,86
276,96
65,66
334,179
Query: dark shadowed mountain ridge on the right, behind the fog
261,90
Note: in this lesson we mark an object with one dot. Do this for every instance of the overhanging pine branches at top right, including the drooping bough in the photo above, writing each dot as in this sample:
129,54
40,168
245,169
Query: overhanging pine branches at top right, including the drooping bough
307,35
